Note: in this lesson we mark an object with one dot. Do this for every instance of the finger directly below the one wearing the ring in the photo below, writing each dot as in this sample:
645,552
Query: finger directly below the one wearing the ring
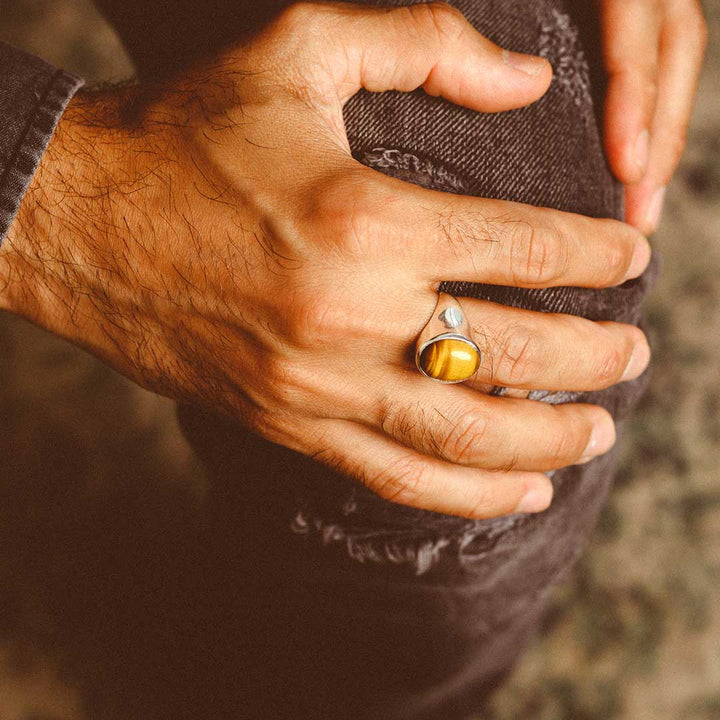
461,426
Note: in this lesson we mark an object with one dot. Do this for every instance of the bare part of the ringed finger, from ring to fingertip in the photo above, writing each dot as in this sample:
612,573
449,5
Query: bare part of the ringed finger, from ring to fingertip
546,351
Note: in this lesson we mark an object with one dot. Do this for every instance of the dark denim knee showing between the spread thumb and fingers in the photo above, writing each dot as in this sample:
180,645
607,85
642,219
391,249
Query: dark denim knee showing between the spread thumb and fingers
548,154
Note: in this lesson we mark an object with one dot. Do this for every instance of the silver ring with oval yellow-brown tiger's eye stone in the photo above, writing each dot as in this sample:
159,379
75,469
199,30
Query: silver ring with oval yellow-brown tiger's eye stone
445,350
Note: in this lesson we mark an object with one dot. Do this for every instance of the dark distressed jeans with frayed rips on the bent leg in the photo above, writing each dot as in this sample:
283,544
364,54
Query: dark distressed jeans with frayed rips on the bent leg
331,602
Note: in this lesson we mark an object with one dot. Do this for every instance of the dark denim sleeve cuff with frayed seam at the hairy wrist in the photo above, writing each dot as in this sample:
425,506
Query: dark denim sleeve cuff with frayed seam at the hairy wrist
33,96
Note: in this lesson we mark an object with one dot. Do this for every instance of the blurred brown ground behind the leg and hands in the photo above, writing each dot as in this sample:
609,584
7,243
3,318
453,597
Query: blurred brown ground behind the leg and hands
98,490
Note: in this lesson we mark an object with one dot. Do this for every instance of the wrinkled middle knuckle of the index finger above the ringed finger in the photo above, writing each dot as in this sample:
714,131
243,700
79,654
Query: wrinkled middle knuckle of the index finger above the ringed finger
538,255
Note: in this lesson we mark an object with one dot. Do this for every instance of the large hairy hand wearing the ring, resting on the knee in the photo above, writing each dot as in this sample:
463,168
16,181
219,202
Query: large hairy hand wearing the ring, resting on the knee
225,249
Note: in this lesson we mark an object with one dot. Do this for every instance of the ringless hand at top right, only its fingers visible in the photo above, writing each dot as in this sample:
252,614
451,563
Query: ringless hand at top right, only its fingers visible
653,53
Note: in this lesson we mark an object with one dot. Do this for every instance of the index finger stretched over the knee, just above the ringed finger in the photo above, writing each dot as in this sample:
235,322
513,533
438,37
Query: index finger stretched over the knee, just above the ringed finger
454,237
